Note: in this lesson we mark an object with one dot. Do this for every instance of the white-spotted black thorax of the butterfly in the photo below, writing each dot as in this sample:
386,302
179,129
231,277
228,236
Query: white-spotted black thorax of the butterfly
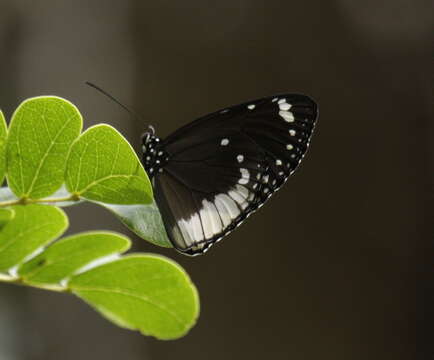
154,157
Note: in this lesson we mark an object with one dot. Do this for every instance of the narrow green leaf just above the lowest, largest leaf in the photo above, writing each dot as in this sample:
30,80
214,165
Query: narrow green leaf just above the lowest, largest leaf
66,256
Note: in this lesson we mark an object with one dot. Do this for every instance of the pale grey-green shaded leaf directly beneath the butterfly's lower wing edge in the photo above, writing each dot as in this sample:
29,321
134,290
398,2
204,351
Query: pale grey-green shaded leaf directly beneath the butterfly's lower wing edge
144,220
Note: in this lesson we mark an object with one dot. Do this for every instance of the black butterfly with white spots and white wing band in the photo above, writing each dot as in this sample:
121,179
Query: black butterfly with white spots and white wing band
211,174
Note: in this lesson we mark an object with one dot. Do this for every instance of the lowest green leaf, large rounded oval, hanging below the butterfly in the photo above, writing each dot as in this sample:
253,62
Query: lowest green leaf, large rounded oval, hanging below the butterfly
145,292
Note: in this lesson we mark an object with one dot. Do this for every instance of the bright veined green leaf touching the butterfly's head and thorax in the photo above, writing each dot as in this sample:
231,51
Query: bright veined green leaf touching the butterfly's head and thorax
102,166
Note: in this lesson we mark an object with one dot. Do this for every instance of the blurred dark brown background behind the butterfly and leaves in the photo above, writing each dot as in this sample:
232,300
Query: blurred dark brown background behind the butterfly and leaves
339,265
